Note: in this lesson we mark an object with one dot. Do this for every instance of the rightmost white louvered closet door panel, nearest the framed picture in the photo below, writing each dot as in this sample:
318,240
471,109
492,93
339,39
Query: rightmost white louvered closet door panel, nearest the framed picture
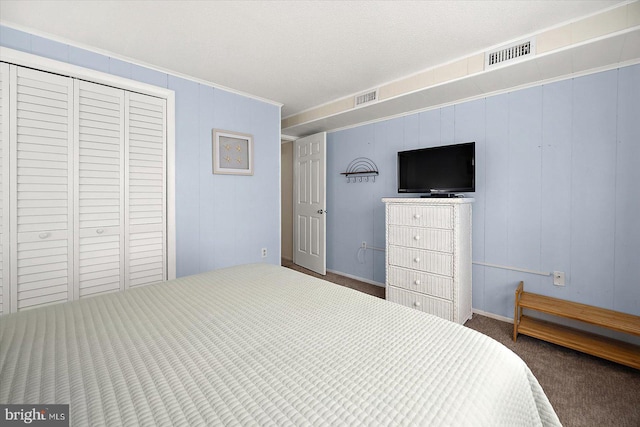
145,190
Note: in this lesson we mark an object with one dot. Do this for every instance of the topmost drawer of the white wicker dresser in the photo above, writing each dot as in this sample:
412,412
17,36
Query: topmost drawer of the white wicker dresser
421,216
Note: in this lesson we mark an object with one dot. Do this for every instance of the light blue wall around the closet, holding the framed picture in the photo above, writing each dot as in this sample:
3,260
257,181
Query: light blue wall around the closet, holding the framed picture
221,220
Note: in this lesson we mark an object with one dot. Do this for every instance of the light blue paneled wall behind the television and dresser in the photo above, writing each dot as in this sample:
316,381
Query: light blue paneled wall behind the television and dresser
557,189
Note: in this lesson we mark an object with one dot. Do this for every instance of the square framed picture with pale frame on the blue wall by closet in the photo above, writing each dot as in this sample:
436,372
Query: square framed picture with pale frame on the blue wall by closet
232,153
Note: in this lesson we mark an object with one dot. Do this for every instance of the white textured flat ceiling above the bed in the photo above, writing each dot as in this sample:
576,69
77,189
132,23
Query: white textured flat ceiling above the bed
299,53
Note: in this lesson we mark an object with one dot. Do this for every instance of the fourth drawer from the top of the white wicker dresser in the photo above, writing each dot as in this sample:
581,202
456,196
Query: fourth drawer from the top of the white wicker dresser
417,281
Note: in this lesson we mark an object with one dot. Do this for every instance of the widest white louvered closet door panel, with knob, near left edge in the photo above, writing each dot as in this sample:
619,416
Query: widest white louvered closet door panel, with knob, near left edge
41,147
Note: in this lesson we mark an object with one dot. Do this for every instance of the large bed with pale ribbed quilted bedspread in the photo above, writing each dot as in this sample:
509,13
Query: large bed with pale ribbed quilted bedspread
261,345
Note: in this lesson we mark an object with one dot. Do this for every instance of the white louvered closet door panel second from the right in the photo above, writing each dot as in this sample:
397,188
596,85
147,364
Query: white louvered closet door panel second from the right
99,203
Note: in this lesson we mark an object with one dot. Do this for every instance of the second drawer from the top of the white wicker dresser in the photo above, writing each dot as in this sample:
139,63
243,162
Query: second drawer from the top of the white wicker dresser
435,239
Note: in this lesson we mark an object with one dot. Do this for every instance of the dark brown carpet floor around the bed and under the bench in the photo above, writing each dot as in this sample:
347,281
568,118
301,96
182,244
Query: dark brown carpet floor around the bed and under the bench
584,390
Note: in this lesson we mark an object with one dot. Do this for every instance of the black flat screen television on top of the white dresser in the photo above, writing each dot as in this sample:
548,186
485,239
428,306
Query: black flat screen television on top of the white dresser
439,171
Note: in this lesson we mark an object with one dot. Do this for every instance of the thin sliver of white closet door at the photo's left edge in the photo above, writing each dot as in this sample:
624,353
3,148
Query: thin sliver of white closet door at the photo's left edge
4,188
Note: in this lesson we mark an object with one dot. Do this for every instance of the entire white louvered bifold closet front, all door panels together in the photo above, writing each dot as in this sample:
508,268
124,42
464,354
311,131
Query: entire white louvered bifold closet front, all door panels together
83,191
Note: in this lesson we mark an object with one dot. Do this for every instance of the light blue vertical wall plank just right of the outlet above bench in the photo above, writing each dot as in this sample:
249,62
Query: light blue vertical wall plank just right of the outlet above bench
593,164
